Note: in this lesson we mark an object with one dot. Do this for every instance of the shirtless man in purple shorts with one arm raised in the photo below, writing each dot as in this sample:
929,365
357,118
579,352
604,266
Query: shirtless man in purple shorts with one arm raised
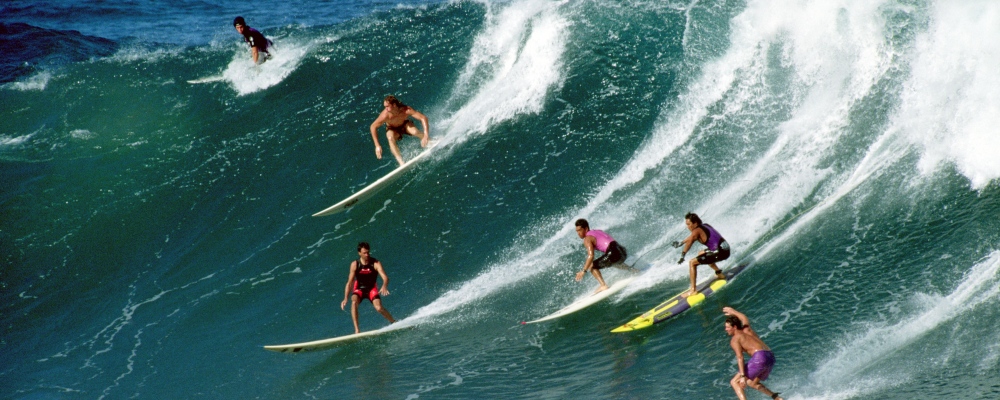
745,340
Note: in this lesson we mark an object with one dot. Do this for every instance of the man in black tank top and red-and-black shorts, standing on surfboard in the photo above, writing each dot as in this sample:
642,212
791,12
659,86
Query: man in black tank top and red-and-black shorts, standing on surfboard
361,284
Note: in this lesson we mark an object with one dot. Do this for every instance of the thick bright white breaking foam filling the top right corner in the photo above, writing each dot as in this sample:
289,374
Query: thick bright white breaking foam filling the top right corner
950,100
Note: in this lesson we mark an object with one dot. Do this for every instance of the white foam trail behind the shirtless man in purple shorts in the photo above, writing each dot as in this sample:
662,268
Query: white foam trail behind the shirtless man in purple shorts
854,368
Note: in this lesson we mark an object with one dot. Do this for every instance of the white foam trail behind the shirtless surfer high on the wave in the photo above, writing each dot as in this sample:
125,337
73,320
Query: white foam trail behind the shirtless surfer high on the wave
514,64
